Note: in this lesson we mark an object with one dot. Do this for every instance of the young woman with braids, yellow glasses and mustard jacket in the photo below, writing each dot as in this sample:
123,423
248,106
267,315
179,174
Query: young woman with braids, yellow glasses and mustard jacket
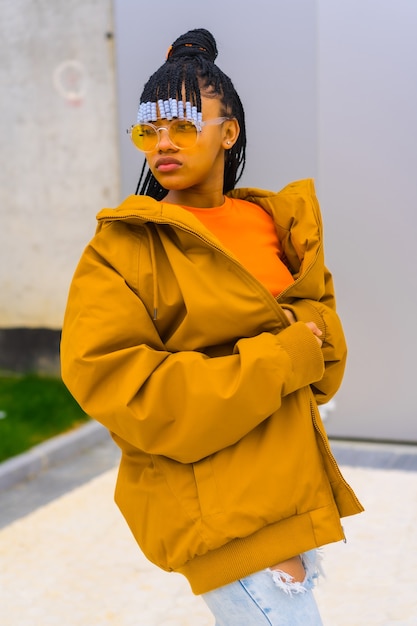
201,330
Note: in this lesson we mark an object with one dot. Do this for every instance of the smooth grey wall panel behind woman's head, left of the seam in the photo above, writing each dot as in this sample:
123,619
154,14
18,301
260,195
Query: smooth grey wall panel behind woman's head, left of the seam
268,49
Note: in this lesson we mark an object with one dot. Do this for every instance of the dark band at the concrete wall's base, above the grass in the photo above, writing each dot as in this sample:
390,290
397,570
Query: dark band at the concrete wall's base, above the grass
30,350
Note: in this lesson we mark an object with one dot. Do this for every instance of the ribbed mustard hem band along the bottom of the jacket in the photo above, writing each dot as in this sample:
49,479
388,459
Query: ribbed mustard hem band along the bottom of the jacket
270,545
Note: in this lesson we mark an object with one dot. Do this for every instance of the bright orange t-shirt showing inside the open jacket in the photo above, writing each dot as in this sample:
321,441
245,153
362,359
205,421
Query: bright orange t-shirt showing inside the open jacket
248,231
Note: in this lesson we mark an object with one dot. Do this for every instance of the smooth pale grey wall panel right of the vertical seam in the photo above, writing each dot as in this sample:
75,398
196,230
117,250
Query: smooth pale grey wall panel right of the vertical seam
368,189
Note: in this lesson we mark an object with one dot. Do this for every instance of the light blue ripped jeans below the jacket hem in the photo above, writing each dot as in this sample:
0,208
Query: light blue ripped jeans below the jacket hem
268,598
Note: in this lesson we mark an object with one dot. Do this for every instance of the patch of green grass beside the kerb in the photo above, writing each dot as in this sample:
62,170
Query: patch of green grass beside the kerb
33,409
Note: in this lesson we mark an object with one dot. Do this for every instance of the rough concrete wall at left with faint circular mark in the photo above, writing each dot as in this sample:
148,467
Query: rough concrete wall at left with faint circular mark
58,149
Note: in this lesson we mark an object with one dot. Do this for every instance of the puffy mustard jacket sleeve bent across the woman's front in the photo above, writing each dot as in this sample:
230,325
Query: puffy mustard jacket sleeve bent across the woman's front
182,405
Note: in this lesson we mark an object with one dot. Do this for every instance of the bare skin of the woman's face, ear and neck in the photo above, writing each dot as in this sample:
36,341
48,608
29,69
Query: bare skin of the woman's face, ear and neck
194,176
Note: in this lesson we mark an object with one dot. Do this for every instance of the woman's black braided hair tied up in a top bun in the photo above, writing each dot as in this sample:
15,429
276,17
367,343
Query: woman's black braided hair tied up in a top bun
190,70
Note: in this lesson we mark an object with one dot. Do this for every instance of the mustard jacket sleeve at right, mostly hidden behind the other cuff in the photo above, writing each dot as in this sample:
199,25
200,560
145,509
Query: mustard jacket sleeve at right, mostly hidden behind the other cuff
323,313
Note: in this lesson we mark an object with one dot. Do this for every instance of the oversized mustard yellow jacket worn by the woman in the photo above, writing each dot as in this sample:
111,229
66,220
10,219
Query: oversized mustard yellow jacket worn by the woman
211,395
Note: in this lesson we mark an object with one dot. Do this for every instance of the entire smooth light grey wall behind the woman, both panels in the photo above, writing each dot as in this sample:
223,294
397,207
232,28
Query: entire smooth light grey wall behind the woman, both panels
332,84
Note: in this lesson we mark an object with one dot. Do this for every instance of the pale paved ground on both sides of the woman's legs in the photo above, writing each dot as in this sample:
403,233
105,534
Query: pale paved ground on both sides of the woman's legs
67,558
